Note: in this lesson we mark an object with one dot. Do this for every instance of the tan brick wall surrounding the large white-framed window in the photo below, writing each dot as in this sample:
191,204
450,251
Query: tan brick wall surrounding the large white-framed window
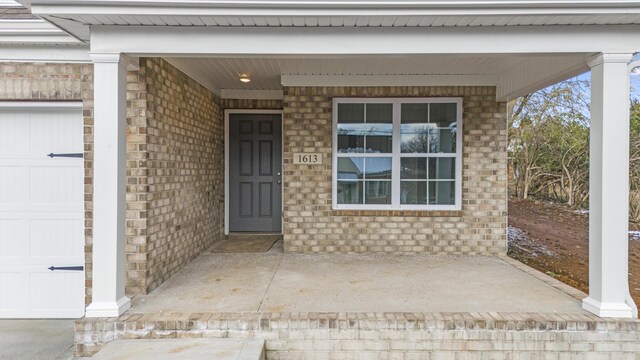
310,225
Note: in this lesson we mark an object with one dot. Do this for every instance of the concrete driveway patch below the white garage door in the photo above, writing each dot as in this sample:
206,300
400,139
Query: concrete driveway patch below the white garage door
36,339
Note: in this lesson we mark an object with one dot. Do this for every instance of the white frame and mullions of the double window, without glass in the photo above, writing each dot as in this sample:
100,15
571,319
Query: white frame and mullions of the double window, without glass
396,154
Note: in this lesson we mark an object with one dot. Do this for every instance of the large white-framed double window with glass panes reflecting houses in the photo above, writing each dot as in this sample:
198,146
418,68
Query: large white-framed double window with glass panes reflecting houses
397,153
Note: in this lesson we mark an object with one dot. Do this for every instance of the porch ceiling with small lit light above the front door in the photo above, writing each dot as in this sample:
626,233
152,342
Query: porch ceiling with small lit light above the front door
221,74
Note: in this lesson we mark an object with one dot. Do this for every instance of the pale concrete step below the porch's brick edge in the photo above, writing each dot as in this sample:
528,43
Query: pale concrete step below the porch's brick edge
184,348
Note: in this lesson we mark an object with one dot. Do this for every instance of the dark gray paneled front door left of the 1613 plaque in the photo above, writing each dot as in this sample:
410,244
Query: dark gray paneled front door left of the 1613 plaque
255,168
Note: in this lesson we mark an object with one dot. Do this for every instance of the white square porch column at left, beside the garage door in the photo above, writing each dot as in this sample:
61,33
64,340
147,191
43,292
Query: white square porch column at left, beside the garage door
108,297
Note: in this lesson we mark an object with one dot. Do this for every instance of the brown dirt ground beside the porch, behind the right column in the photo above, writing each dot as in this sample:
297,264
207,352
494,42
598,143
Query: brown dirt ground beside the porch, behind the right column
555,239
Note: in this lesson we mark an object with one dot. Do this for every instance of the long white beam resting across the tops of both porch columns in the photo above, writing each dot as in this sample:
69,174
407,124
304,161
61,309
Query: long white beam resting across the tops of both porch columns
220,41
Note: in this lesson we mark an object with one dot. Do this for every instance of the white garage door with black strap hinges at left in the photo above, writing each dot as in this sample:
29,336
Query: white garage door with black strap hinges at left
41,211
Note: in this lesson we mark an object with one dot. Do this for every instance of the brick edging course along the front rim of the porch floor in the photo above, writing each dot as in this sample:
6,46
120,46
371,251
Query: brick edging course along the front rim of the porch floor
364,321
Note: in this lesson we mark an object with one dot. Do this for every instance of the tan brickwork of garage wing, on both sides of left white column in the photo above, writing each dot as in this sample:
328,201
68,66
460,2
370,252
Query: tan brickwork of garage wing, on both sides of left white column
175,161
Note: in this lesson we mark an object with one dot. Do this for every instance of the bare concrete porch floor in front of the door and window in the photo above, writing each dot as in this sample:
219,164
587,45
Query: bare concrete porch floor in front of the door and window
274,282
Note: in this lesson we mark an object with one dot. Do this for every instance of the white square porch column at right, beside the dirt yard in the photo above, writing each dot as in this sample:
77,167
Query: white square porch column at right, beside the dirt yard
609,188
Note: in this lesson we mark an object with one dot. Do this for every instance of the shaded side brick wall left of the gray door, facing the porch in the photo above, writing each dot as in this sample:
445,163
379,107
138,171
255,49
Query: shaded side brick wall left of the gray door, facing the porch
185,169
